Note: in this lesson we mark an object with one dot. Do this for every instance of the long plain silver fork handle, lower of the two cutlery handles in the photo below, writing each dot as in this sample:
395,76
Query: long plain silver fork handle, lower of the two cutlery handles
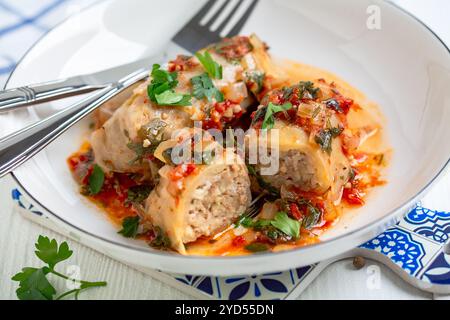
20,146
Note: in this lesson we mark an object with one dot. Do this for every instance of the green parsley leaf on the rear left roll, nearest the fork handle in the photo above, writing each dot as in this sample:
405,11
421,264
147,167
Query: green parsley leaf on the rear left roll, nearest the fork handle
161,88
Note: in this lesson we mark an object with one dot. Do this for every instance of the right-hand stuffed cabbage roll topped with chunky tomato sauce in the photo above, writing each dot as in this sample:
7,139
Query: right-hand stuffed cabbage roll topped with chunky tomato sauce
311,156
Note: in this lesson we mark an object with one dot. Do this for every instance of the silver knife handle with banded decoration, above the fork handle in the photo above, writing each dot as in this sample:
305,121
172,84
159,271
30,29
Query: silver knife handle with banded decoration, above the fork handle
34,94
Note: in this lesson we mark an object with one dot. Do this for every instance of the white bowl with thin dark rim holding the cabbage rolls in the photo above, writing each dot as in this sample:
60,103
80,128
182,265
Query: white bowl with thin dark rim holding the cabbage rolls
402,66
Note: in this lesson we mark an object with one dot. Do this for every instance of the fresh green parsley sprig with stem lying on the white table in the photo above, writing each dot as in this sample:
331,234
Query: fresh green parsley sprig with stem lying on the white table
33,282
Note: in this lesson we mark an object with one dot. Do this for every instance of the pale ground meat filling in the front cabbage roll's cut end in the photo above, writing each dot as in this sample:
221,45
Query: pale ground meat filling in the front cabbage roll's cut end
217,203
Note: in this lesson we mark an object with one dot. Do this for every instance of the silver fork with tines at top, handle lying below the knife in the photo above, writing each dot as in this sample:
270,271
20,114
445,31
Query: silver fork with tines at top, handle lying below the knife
20,146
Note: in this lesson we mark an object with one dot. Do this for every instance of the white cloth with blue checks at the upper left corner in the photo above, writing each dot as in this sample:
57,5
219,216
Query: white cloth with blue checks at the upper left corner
23,22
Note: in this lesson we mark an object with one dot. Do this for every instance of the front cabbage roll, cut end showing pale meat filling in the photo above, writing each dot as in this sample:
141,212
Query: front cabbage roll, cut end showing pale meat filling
198,200
